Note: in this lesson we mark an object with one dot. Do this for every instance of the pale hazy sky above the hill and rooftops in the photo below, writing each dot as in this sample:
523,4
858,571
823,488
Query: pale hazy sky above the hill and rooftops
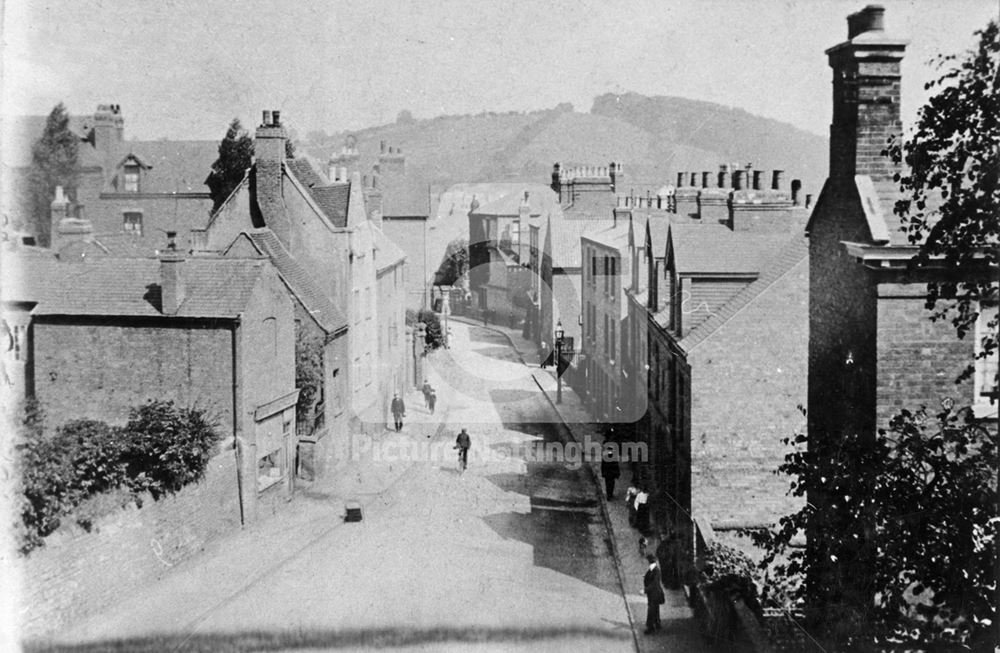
184,68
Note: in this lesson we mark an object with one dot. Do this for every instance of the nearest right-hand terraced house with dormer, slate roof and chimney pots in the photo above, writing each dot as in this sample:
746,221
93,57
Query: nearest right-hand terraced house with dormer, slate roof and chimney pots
724,318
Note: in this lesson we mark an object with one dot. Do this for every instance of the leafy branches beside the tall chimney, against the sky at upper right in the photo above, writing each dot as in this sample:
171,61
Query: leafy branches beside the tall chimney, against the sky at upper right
951,191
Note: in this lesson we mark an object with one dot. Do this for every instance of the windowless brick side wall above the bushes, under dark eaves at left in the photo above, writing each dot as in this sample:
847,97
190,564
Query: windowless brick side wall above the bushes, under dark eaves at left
86,369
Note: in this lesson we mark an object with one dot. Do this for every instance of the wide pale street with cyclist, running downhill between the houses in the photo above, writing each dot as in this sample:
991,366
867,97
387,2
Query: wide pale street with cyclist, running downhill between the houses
513,554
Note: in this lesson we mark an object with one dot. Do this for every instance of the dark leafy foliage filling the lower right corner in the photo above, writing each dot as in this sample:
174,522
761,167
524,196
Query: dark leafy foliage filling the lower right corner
924,495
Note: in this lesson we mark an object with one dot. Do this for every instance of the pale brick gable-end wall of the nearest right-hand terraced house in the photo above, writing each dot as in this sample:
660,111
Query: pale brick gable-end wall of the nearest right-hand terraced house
747,380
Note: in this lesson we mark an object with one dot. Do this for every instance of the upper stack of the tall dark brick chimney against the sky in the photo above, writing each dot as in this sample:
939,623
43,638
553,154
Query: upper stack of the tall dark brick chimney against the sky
866,79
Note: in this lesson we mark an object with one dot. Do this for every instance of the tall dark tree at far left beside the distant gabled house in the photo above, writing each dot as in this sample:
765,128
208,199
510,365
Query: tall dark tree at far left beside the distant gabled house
53,163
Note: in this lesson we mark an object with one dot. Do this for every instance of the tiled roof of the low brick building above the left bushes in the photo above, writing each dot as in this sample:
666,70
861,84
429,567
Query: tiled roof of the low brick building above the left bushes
129,287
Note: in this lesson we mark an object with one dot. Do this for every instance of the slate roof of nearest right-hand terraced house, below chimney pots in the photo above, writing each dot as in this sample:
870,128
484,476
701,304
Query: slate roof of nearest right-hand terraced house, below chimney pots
715,249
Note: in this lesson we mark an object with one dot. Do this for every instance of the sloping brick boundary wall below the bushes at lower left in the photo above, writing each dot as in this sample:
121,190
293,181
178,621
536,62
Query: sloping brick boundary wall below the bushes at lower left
78,572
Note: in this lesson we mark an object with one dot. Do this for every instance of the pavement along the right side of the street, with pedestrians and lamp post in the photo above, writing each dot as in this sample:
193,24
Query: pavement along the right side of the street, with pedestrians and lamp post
680,628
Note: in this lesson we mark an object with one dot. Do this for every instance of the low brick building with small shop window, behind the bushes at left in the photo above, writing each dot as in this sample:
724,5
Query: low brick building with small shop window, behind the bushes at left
96,338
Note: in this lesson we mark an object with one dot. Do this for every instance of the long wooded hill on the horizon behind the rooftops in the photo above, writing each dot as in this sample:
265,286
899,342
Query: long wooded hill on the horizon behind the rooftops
654,137
